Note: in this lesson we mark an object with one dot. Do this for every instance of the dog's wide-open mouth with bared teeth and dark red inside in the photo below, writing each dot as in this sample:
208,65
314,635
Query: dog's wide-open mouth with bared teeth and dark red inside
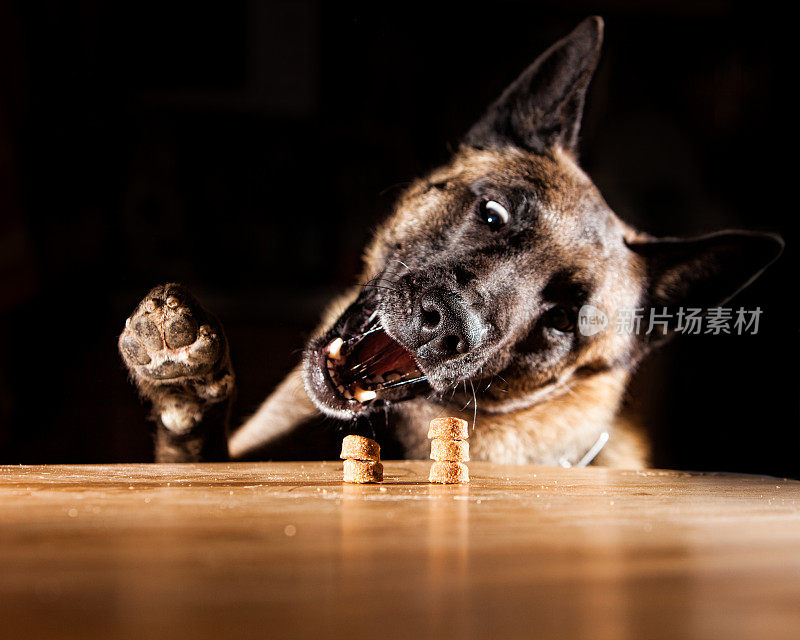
351,369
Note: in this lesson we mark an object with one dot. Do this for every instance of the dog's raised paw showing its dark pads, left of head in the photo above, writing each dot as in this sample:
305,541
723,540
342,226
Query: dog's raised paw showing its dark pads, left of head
171,341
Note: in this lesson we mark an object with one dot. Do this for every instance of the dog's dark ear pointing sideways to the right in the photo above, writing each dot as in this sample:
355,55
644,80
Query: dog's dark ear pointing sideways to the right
704,272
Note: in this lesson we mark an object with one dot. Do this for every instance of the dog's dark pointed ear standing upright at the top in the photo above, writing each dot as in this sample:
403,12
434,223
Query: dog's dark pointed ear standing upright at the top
542,109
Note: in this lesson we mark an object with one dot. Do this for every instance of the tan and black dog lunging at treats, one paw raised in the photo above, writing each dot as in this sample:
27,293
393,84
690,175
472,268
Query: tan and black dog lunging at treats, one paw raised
469,304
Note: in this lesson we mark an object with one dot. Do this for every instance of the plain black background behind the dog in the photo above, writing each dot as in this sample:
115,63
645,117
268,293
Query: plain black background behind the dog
249,149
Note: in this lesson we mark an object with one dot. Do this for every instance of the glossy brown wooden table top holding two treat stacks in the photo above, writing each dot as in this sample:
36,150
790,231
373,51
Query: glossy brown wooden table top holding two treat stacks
285,550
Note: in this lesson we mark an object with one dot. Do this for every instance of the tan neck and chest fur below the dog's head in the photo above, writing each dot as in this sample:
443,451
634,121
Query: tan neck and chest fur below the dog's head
553,432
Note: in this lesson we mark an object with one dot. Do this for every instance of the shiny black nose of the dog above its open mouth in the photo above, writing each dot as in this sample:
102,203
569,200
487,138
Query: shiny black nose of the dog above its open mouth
447,326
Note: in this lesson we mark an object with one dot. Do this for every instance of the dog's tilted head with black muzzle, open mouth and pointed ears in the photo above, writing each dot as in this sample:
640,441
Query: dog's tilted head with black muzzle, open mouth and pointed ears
480,272
